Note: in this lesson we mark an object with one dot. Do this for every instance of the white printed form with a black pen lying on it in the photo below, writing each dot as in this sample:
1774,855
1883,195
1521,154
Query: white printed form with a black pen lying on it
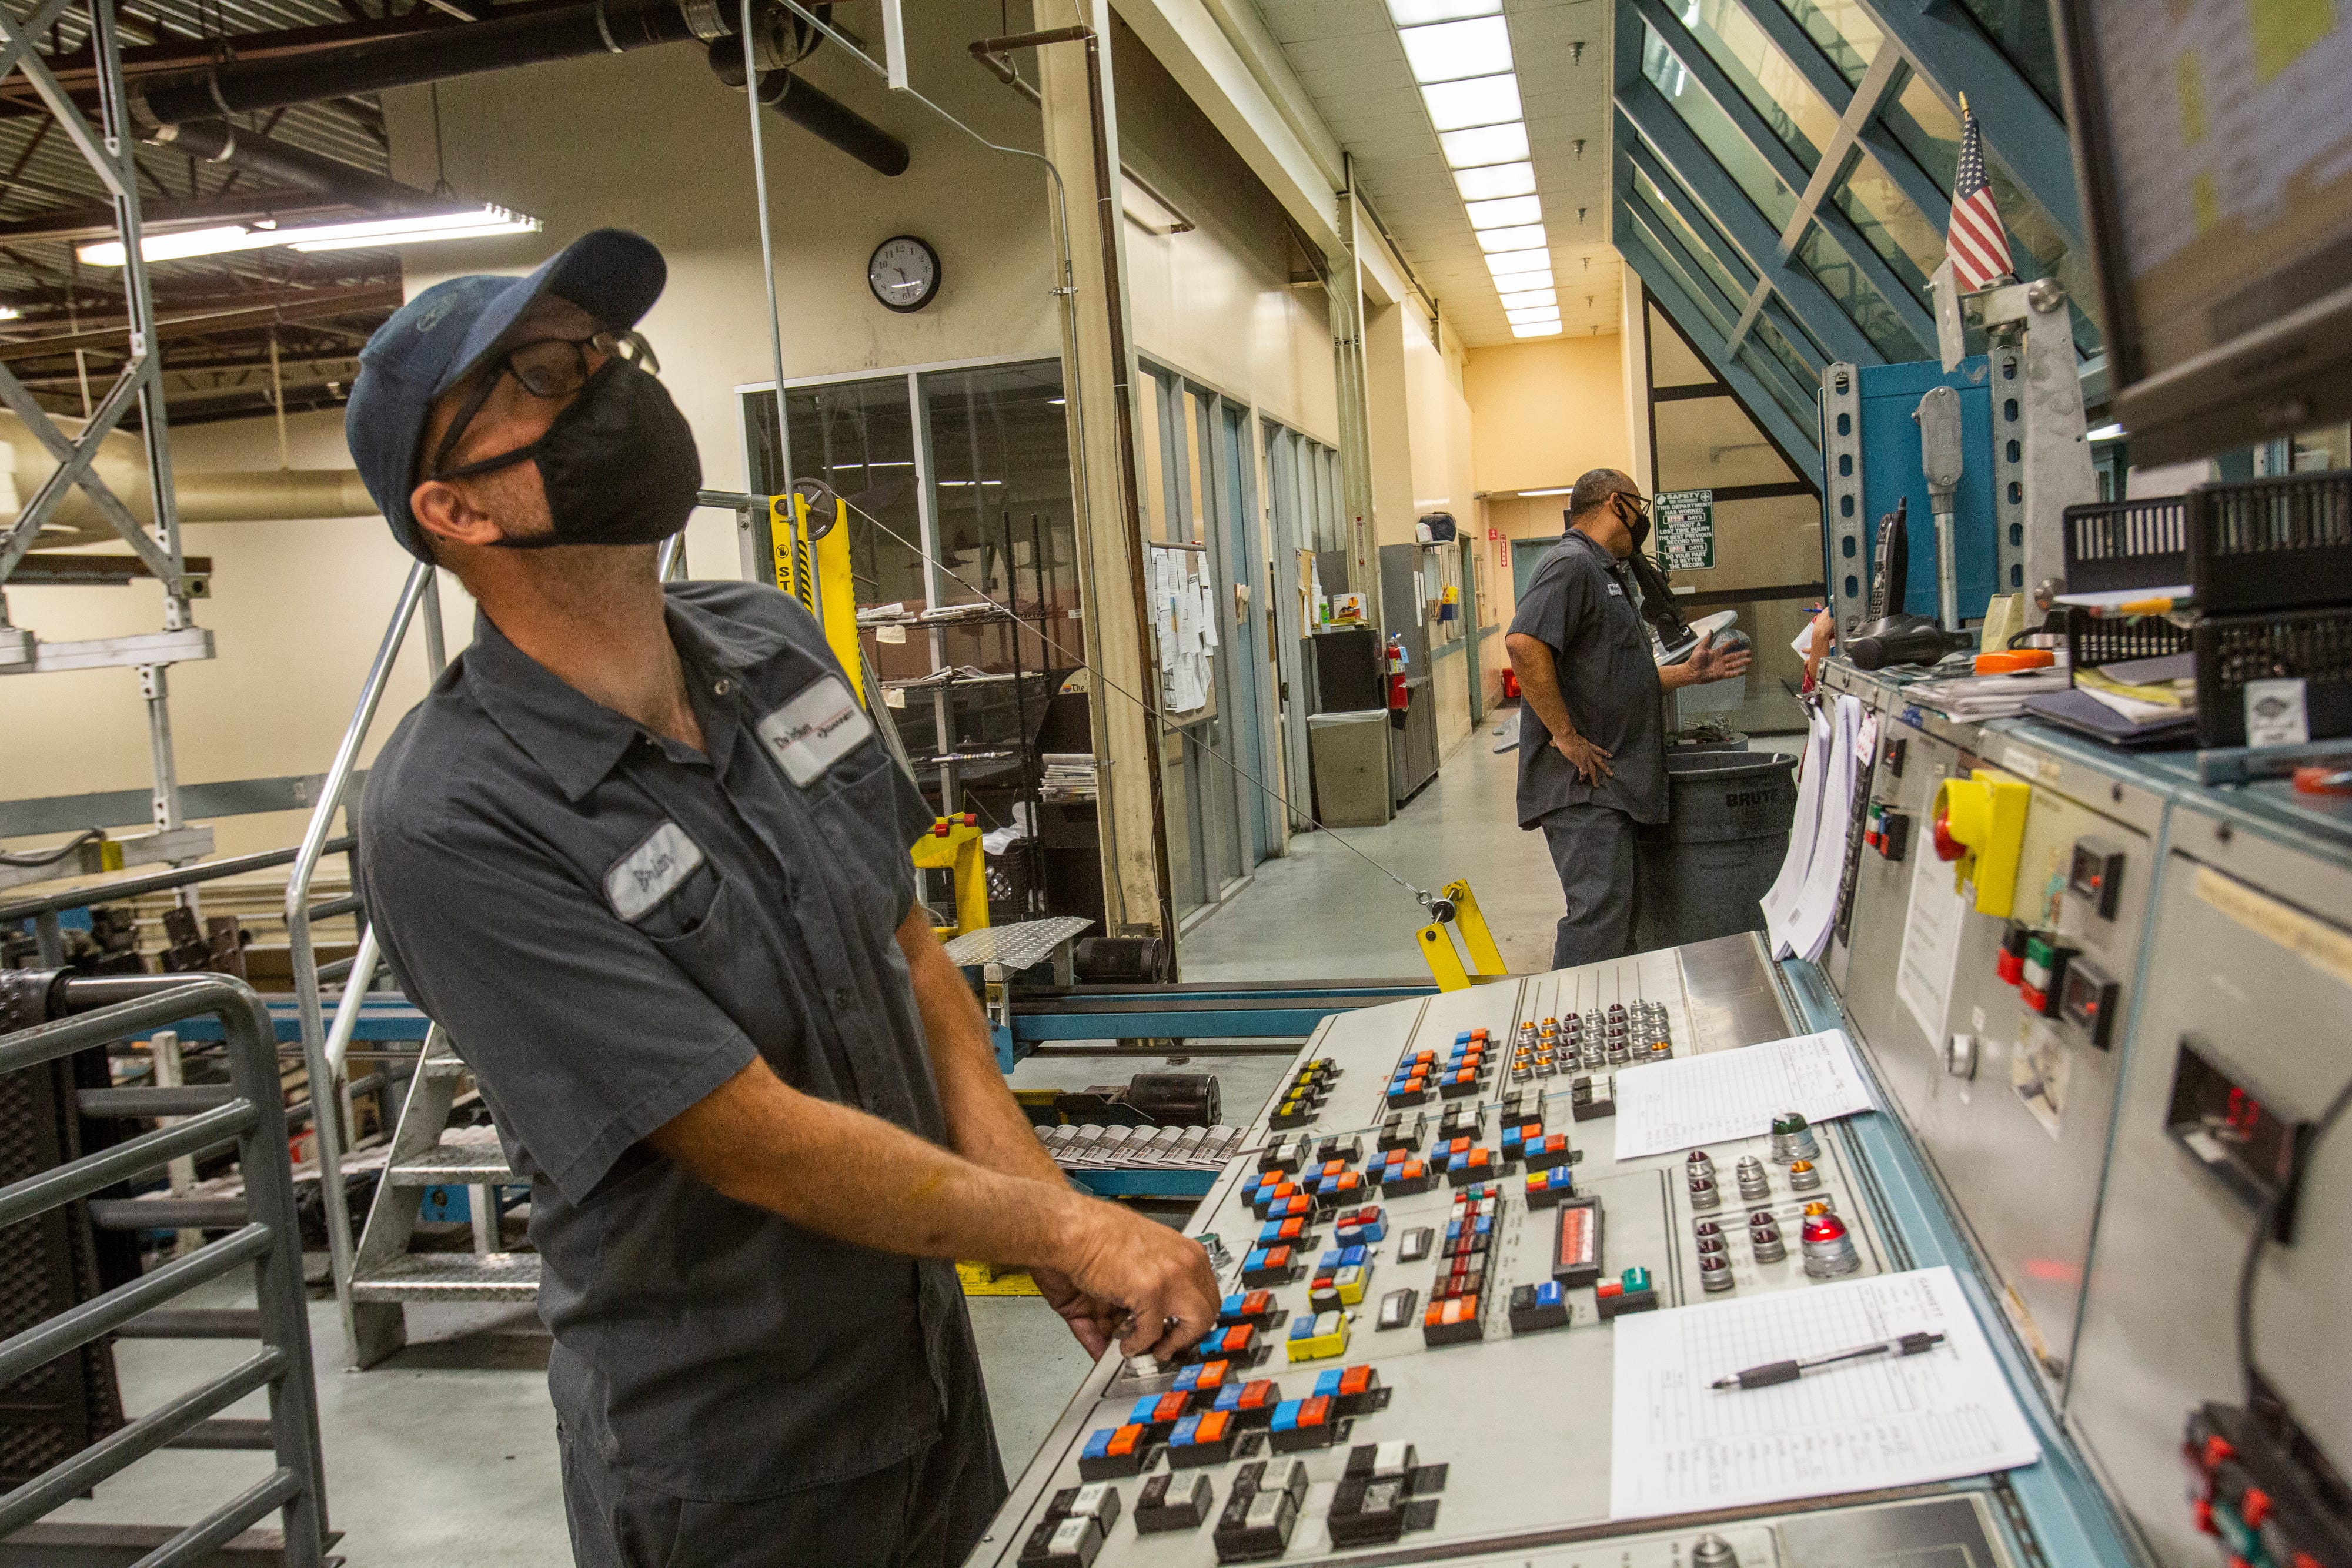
1685,1447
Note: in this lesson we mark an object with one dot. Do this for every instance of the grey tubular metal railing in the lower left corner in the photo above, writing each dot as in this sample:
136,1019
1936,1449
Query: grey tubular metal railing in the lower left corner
269,1240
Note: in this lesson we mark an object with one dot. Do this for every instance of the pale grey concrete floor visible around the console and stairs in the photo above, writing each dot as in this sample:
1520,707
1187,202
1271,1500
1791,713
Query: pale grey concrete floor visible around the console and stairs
448,1452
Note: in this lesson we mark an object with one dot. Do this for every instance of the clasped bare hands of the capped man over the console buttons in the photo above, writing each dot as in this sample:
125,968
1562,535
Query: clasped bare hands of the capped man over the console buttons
1130,1278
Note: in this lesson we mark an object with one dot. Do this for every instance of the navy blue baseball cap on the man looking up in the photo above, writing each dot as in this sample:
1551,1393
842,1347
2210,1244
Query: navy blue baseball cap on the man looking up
443,335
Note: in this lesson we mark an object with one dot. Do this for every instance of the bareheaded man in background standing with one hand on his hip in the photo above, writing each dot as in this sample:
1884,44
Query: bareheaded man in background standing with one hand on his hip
1591,730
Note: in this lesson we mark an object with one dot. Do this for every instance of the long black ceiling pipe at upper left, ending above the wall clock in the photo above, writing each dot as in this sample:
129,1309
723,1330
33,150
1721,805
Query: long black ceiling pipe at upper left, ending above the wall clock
495,43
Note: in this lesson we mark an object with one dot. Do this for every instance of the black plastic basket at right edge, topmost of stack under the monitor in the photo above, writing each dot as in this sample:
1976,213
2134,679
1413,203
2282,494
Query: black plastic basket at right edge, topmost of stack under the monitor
2273,544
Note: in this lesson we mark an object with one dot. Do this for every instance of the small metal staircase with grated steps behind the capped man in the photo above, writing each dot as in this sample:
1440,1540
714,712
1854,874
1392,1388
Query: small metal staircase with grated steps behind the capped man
429,1153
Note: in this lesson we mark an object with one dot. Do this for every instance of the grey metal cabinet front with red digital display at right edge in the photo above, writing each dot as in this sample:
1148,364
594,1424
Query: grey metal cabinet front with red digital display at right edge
2236,1045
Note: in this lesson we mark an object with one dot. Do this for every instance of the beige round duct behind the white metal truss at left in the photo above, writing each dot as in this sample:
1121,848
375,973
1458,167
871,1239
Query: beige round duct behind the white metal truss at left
265,495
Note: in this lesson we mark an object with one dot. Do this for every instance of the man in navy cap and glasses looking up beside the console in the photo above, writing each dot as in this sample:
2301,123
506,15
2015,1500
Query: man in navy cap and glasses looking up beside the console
643,855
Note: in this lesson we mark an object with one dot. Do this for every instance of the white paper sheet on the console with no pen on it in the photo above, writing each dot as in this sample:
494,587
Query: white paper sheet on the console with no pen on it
1735,1094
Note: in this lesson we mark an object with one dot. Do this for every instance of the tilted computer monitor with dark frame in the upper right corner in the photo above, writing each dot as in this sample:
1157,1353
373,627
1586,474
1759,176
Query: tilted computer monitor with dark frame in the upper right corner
2217,166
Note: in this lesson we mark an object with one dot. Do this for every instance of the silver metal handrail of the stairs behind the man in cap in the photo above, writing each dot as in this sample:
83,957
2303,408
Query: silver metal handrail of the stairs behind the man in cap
302,956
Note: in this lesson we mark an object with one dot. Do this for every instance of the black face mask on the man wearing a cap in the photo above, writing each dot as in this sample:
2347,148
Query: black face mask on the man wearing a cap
620,464
